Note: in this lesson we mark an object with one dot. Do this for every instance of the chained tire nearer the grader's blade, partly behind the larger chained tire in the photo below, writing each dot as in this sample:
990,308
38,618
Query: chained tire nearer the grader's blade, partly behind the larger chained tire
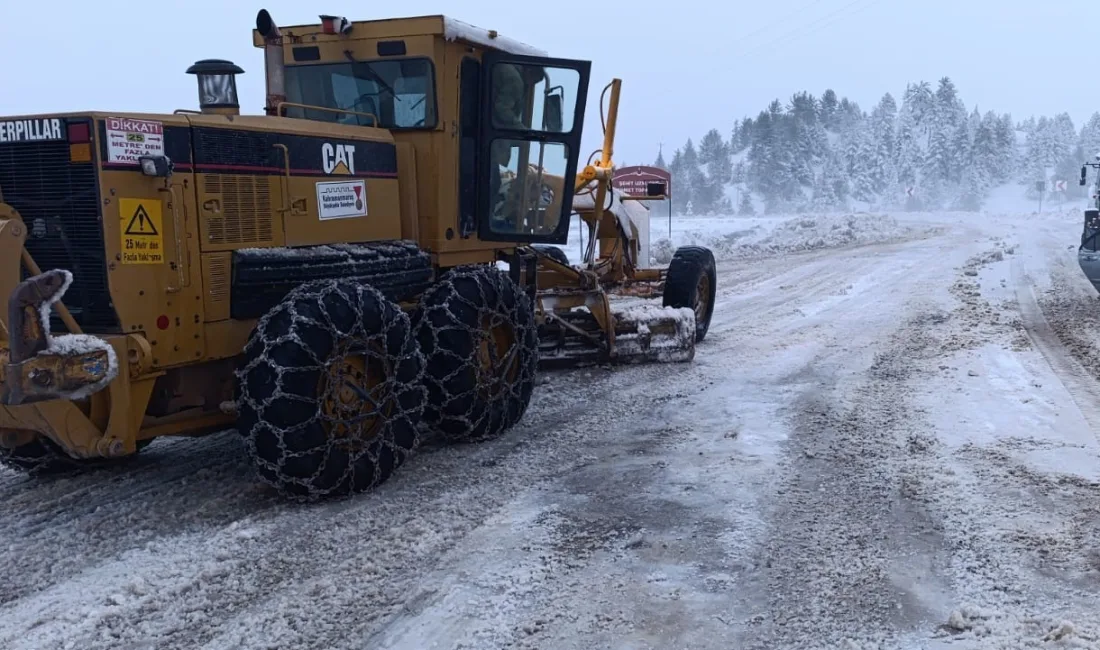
478,334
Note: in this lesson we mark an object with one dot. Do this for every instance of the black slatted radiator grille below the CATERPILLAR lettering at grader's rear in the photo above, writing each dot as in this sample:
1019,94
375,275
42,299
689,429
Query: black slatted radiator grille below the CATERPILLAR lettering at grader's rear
59,202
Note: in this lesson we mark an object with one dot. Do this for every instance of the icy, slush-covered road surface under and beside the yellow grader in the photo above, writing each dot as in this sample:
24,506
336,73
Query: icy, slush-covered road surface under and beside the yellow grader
885,443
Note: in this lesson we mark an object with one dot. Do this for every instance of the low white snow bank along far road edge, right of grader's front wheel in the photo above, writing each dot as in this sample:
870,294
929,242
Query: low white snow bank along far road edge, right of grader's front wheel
730,238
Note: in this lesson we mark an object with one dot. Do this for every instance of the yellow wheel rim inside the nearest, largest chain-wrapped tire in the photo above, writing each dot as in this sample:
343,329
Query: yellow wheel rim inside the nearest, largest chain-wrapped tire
355,401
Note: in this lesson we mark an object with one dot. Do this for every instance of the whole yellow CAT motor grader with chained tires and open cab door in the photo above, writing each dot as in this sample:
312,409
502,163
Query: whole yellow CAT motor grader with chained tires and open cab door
327,278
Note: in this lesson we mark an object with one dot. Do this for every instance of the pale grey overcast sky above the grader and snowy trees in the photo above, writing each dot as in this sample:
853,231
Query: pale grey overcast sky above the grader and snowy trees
687,65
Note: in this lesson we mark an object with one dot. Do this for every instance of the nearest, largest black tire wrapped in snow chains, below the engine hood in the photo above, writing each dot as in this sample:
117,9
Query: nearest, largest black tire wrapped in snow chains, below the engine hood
331,392
